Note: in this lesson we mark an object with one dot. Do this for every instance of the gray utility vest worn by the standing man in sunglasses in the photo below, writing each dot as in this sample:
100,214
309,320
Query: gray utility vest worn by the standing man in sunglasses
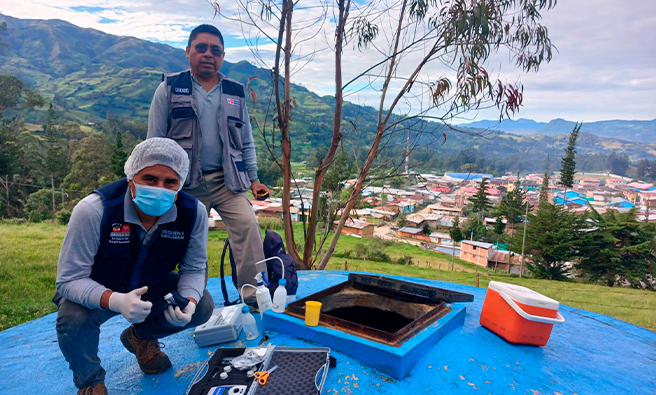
184,128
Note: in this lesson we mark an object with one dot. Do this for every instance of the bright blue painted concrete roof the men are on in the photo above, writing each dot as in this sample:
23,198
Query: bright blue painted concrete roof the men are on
588,354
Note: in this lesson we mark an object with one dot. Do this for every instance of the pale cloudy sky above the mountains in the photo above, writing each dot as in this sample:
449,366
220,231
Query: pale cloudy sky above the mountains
605,67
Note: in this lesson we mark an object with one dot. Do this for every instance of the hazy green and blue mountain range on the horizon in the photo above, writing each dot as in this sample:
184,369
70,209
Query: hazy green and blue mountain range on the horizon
89,75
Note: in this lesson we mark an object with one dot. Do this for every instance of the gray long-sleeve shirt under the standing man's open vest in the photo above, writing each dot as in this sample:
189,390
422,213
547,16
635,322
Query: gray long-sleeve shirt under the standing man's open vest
208,103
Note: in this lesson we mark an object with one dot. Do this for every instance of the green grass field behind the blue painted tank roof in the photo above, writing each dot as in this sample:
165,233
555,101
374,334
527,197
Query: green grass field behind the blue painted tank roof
28,265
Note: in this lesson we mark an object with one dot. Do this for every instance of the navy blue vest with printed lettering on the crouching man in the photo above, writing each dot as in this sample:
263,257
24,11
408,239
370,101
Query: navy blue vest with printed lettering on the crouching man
122,263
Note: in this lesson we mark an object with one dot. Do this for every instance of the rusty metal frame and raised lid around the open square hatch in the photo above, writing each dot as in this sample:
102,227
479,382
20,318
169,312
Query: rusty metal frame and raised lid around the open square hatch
387,287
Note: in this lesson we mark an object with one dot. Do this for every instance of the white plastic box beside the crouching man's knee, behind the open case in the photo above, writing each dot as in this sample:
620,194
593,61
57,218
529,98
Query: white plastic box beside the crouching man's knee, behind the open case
224,326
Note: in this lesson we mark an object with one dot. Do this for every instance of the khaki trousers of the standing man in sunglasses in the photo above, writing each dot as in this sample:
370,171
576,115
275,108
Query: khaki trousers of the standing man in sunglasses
244,233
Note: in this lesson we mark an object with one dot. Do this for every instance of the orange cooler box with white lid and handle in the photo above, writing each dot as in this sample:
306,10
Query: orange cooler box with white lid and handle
518,314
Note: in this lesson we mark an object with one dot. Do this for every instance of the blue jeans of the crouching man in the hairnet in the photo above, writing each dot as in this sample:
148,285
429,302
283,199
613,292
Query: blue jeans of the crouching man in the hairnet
78,329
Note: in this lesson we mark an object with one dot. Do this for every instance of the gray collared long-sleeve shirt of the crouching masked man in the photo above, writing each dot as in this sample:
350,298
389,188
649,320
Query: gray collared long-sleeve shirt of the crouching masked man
83,239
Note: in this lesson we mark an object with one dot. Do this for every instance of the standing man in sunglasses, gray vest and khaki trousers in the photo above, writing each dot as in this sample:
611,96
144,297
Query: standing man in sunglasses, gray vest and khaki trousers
206,113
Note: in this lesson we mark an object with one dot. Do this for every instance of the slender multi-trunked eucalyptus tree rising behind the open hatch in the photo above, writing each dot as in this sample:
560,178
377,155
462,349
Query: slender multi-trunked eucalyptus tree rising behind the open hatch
398,46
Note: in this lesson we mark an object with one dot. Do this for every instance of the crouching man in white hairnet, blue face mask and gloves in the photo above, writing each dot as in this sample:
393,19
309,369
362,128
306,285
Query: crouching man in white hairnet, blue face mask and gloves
119,256
